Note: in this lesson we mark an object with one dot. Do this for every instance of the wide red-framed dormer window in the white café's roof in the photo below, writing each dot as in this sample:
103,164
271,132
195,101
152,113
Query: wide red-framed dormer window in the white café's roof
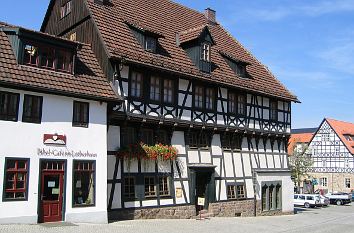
47,57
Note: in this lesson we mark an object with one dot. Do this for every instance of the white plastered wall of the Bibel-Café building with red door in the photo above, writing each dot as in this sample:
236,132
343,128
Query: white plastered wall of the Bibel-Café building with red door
25,140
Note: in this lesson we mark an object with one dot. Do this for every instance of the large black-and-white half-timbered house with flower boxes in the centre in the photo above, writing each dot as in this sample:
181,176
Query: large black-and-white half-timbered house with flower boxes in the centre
188,83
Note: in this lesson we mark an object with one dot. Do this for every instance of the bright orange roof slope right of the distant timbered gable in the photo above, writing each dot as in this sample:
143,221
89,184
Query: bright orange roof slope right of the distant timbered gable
343,128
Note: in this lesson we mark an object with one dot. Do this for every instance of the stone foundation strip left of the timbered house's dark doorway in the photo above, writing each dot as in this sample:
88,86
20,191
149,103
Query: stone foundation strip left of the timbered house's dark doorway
175,212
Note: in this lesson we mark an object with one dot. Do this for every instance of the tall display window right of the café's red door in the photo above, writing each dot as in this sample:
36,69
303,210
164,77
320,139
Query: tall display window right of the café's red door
84,183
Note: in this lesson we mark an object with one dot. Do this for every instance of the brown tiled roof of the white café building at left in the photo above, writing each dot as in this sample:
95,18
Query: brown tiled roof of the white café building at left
88,82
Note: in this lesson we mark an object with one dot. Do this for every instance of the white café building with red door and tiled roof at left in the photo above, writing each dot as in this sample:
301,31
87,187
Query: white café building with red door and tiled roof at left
53,104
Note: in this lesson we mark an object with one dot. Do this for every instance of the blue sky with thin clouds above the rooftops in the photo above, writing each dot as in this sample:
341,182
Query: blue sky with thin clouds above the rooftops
308,45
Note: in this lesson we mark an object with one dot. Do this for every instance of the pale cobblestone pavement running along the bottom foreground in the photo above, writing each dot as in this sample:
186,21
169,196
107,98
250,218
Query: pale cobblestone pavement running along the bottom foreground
332,219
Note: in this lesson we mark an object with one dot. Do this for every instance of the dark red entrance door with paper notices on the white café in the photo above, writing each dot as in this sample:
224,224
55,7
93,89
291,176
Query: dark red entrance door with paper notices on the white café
52,187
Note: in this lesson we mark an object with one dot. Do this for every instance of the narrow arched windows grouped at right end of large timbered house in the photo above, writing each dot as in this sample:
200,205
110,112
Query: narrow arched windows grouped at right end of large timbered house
271,196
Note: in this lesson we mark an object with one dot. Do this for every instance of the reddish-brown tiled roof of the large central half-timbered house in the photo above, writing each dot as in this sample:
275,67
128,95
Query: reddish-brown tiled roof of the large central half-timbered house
169,18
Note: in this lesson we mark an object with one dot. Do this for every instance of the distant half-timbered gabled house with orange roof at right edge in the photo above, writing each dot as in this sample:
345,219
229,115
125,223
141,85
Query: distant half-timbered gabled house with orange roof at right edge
332,149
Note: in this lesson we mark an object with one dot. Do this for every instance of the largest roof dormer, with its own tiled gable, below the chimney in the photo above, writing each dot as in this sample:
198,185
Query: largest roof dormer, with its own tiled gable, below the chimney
197,43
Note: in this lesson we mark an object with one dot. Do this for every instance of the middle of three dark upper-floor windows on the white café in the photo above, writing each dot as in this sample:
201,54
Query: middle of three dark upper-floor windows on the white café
32,109
